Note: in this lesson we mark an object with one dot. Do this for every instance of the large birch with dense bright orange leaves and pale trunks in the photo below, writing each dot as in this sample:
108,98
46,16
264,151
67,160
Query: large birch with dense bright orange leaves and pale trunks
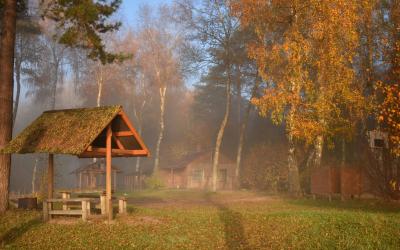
305,51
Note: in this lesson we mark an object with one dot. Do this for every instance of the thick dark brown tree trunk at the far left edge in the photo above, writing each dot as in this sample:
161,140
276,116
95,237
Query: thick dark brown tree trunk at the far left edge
7,42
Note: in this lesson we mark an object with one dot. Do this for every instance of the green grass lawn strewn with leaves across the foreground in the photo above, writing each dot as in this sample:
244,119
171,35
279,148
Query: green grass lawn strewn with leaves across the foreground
170,219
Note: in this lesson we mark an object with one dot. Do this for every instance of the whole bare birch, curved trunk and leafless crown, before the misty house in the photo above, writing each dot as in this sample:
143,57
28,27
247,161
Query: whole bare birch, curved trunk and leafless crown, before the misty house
212,27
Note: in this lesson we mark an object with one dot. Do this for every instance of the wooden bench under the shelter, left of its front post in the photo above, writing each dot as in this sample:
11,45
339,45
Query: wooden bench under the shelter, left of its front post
48,210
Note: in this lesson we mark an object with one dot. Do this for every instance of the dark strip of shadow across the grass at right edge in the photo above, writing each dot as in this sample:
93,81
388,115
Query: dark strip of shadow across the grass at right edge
371,206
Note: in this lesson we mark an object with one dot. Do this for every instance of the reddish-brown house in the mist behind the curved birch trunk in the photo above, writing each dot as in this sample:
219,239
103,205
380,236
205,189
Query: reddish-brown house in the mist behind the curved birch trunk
195,171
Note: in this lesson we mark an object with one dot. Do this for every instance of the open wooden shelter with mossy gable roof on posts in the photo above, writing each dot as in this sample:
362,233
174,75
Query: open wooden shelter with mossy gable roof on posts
102,132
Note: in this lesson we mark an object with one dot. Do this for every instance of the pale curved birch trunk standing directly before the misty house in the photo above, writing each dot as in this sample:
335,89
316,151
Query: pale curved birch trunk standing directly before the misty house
221,133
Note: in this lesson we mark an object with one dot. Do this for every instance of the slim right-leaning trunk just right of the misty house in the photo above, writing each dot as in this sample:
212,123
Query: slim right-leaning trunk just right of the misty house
242,133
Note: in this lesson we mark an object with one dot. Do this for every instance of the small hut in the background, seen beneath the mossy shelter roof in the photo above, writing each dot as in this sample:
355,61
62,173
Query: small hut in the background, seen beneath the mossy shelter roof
91,176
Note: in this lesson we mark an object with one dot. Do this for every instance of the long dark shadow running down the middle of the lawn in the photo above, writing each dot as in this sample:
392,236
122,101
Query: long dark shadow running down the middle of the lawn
233,225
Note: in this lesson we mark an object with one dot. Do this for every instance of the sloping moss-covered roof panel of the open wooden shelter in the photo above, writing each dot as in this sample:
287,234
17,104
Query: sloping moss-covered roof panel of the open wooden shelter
68,131
